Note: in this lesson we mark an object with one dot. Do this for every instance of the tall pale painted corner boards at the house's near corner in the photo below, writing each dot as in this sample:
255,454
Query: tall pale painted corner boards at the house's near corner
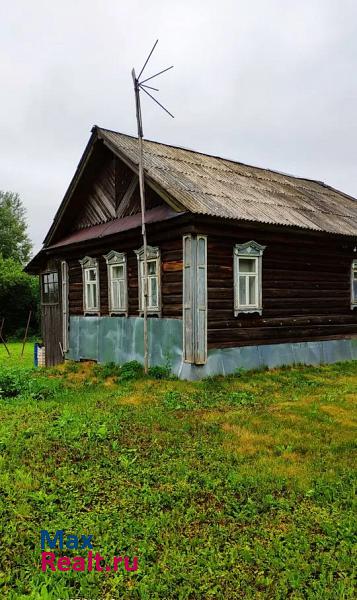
195,299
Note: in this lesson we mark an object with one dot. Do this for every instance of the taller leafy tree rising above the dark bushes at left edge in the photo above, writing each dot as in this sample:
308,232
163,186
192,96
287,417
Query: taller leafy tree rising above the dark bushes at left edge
14,241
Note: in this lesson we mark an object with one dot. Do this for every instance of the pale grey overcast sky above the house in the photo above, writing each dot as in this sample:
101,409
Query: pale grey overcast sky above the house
267,82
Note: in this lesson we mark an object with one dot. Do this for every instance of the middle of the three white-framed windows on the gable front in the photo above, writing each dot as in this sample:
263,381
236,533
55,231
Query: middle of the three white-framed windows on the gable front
117,282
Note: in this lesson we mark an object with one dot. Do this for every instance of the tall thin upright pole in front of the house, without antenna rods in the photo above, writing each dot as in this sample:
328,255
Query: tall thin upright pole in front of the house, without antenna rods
143,227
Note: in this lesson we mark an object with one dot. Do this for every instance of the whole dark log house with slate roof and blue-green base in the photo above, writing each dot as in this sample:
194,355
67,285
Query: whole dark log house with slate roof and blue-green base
247,266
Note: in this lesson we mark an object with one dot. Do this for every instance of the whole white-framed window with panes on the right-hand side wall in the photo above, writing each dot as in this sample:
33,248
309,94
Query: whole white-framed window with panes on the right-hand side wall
248,278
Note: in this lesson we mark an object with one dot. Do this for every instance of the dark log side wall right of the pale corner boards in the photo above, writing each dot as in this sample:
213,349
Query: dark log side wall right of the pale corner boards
305,283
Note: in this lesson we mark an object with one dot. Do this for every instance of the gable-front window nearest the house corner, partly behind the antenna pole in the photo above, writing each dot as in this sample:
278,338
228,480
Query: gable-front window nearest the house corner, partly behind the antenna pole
153,279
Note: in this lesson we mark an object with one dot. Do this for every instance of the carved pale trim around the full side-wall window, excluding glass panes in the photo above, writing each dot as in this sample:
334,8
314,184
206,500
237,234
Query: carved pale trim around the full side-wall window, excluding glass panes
254,251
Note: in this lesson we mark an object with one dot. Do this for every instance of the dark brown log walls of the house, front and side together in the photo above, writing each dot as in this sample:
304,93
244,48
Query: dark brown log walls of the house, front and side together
306,282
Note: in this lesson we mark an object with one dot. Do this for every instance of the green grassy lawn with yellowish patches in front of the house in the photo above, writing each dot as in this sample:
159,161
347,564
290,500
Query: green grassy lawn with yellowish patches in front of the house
226,488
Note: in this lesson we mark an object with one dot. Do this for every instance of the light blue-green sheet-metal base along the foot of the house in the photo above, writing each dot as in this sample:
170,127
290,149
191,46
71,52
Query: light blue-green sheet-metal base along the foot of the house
120,339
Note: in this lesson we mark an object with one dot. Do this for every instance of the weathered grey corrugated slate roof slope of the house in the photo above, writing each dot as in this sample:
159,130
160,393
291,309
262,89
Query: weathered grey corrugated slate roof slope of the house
210,185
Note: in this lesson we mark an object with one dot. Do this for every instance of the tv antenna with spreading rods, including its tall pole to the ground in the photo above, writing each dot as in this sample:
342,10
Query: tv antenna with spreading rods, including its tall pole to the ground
140,84
